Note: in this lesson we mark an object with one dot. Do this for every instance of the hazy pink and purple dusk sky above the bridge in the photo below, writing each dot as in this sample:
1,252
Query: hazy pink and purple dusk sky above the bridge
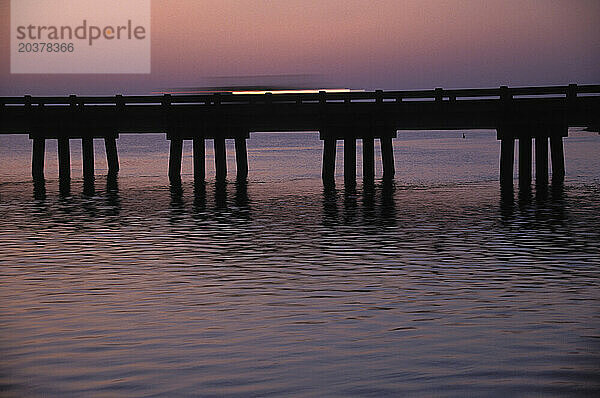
347,43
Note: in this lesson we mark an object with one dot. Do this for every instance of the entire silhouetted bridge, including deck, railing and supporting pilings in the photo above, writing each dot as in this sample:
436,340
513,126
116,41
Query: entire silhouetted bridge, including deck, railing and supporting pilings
531,114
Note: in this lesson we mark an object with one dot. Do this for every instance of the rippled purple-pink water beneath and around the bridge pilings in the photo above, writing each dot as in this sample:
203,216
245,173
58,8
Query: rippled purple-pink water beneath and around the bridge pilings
431,286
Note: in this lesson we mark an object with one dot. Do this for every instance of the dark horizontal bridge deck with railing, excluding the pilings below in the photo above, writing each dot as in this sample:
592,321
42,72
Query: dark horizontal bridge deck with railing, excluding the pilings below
350,114
